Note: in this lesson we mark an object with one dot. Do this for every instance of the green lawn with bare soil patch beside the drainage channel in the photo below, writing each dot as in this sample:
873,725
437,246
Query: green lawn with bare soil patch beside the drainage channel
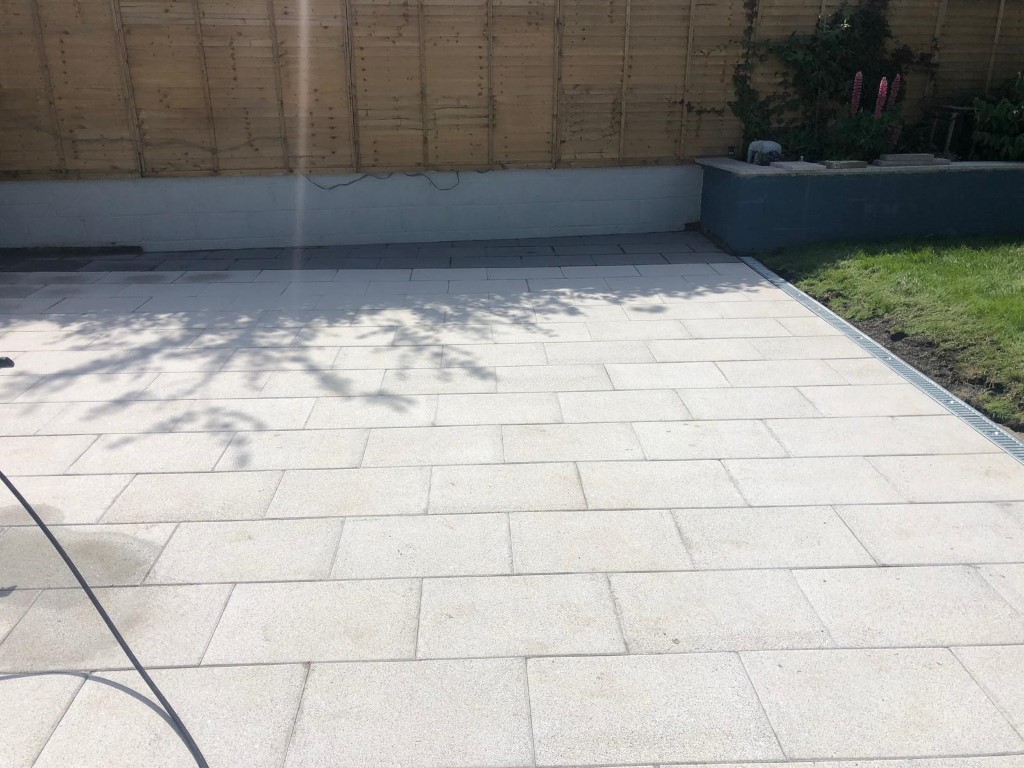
954,310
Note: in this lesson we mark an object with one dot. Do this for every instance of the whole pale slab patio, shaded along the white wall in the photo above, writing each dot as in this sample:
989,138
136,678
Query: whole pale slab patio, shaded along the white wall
570,502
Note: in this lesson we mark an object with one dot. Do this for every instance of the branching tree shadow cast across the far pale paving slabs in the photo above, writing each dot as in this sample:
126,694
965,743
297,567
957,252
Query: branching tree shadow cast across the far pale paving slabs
248,342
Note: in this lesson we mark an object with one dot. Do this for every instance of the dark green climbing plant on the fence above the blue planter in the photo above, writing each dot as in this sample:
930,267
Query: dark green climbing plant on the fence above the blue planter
809,112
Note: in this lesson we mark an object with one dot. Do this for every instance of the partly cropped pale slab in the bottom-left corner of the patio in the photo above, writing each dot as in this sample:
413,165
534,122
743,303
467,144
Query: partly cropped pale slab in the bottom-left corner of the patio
31,707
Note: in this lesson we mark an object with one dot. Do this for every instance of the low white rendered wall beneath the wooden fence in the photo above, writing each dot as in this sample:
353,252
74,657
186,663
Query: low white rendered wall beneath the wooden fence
266,211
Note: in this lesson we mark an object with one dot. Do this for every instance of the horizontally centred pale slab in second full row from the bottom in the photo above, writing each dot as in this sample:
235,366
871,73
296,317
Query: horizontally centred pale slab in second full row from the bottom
519,616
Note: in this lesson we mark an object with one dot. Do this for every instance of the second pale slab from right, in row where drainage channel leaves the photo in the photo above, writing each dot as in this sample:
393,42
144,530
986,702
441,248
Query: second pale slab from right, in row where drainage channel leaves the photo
782,483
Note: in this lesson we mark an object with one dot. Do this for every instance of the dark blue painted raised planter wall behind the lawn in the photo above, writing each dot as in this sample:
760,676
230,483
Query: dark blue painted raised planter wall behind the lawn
753,208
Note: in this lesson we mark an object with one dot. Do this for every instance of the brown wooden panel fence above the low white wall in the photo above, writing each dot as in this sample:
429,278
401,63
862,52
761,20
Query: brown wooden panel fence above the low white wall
198,88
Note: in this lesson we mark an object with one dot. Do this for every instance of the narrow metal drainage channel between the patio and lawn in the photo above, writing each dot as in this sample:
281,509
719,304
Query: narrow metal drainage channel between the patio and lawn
946,399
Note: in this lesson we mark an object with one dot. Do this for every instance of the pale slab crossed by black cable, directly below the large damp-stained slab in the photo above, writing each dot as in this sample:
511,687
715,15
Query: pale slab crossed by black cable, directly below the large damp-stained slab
165,626
